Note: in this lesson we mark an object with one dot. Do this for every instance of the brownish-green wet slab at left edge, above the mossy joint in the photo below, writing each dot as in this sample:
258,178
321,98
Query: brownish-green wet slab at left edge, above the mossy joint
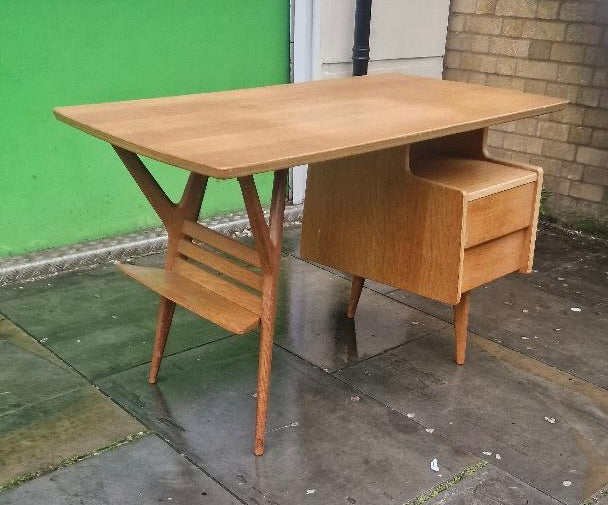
38,436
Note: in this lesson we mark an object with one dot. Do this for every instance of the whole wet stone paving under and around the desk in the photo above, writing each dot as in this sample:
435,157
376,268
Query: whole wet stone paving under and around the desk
359,408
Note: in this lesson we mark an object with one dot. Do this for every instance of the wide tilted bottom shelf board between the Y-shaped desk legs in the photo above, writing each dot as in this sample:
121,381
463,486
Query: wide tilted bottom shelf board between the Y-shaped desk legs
195,298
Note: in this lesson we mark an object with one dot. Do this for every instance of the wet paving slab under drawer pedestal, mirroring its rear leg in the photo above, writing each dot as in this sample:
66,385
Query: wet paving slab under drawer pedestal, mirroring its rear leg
312,322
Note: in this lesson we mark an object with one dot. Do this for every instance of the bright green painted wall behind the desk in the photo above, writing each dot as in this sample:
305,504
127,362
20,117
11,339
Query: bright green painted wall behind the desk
60,186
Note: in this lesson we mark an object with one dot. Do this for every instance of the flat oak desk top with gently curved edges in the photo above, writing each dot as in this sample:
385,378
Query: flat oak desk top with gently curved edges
233,133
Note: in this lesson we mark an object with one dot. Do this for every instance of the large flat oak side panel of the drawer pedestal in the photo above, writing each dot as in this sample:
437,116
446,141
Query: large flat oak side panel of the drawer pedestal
368,215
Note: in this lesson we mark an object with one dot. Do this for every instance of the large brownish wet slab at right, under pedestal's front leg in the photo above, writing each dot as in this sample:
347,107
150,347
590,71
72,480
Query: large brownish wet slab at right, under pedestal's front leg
547,426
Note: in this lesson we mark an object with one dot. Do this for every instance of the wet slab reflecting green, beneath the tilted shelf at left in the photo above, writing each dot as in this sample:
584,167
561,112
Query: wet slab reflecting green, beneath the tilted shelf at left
100,321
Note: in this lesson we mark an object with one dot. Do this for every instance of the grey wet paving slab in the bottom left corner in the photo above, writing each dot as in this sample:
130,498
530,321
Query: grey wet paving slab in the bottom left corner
142,472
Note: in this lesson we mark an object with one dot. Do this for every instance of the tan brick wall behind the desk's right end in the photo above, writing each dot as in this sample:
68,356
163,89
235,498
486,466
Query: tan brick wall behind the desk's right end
552,47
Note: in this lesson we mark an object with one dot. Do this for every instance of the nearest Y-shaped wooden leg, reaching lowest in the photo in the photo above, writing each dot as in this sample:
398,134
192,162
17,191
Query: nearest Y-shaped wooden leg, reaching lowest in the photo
268,243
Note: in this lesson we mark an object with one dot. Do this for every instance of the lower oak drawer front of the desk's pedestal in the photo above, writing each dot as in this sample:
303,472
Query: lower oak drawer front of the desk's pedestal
491,260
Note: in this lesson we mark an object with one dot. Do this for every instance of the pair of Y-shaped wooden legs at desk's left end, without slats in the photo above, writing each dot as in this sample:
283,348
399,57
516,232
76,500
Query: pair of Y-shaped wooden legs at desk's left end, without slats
267,238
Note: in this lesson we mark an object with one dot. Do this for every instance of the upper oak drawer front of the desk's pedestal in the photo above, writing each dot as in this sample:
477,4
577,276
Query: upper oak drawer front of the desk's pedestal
499,214
